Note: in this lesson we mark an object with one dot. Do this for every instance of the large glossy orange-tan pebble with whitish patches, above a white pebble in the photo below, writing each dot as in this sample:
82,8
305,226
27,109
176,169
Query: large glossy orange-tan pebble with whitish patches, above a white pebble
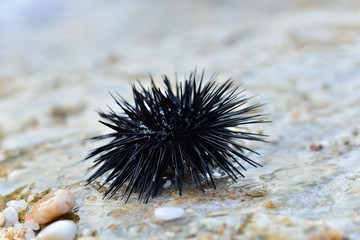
53,205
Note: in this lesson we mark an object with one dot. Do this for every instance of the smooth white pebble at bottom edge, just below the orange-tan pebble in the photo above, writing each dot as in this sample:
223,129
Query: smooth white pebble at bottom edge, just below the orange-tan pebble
59,230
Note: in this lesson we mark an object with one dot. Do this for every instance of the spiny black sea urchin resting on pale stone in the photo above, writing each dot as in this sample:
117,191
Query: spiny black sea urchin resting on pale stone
189,130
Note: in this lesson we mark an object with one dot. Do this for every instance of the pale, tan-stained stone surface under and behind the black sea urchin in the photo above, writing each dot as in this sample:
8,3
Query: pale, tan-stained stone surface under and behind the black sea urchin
59,60
